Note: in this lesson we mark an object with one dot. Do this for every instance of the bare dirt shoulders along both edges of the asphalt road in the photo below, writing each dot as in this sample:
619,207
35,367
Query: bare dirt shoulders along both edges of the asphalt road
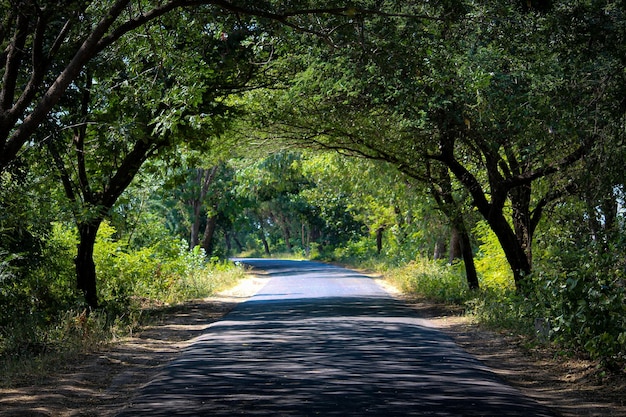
102,383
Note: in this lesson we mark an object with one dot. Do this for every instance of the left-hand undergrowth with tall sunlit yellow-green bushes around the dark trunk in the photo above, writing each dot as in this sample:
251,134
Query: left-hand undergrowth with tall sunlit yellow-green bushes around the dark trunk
43,321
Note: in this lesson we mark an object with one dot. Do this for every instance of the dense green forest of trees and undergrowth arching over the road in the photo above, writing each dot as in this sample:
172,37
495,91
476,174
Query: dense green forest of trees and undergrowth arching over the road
474,149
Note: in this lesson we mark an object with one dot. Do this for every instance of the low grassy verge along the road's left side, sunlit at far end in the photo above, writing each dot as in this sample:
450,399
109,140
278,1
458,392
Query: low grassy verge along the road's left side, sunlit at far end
33,347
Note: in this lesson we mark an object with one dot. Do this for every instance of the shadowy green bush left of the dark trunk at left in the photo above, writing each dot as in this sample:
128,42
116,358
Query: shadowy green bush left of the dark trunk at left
42,300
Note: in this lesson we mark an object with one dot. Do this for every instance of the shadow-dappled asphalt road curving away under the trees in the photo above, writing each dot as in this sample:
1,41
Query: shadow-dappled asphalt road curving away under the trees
319,340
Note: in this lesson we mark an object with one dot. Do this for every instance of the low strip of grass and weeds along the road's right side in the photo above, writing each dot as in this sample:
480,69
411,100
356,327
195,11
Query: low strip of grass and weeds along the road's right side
586,322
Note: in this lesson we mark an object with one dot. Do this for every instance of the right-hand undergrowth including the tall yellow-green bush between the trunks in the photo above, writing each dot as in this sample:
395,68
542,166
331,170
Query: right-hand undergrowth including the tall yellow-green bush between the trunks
577,306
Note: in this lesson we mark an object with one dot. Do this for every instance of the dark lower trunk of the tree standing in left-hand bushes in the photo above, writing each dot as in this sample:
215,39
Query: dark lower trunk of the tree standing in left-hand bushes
85,266
